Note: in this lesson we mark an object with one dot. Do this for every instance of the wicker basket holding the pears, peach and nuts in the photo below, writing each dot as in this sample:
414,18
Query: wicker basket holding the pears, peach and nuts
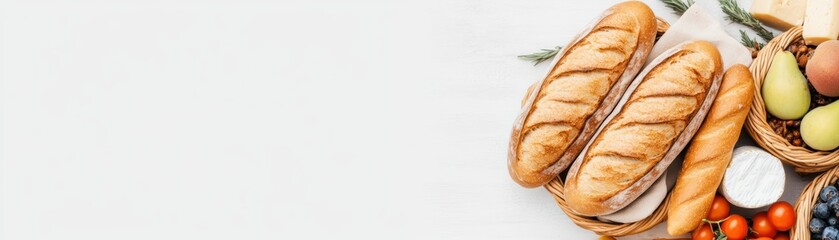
804,160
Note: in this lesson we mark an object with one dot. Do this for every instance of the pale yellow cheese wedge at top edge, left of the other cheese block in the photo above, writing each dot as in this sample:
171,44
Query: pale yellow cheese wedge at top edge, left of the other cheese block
779,14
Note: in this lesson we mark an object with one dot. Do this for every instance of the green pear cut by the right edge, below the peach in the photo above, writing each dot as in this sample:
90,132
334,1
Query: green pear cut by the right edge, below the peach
820,127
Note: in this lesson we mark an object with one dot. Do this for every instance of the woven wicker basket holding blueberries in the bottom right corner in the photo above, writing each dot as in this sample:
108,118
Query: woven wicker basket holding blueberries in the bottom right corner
804,205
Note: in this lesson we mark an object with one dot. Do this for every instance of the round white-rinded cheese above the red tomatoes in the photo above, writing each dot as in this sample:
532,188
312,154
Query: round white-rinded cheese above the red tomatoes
753,179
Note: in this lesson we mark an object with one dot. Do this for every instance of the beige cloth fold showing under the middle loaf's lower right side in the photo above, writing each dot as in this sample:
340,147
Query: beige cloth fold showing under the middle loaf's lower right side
642,207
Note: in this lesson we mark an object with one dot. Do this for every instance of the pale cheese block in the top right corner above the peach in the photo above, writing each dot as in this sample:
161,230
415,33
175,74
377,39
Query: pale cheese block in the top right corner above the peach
821,21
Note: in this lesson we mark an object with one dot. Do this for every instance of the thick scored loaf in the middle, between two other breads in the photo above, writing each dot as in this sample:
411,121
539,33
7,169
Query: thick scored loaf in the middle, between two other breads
661,111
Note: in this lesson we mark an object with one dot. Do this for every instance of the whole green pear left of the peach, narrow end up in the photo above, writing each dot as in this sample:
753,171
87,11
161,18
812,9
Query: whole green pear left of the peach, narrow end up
785,91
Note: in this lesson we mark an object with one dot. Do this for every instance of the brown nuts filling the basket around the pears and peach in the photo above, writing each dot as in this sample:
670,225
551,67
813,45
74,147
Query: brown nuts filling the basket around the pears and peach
789,129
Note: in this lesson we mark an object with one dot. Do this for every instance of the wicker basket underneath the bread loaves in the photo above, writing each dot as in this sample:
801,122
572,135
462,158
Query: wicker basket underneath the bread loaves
557,189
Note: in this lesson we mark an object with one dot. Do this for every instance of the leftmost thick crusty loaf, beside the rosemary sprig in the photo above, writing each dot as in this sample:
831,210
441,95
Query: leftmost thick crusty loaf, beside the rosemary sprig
564,110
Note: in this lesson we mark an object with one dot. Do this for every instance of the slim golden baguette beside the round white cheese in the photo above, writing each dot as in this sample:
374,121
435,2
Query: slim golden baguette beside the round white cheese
710,152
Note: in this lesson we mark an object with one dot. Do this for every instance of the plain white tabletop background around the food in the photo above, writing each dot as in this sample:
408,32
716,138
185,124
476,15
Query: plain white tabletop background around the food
273,119
